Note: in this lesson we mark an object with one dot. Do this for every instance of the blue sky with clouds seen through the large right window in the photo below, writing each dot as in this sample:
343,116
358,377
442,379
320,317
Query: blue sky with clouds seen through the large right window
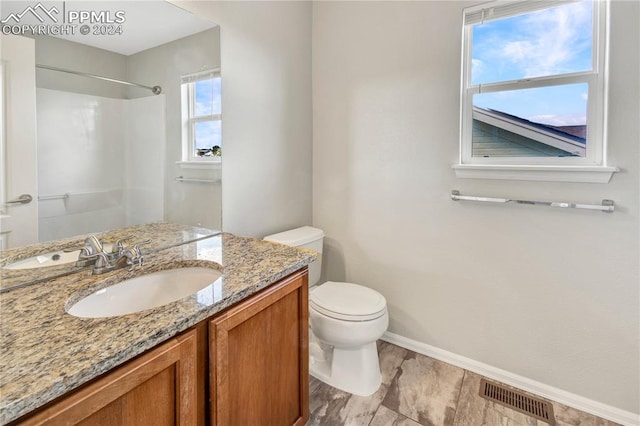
548,42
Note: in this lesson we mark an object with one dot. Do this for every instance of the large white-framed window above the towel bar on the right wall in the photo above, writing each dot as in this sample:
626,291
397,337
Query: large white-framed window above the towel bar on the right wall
533,90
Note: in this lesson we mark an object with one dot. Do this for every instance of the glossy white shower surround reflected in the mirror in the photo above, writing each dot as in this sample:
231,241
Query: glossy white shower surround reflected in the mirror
100,162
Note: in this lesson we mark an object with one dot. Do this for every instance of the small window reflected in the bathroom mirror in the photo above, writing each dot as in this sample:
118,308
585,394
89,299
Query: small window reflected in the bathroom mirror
201,117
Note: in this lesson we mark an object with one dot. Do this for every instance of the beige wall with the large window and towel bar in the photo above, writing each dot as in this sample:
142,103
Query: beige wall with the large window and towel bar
549,294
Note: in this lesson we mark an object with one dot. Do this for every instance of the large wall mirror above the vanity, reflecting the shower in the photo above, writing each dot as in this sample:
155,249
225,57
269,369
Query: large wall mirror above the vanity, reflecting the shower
109,155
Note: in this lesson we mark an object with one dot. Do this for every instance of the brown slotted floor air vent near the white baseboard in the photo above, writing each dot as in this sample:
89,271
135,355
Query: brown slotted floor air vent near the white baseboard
534,407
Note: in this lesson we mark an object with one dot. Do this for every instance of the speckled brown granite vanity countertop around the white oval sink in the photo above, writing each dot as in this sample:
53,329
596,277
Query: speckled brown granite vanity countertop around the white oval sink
46,352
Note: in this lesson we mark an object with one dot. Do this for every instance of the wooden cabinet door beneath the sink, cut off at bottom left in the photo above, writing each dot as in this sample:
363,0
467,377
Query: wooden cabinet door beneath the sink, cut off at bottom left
158,388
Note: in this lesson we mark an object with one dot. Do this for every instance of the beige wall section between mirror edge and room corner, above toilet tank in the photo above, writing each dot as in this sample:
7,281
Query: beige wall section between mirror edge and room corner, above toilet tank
266,98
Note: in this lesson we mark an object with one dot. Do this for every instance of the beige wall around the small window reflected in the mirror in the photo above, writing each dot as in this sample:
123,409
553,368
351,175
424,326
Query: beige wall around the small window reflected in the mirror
186,203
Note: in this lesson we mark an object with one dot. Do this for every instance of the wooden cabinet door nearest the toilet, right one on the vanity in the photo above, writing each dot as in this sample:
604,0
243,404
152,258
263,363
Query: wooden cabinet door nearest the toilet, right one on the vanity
259,358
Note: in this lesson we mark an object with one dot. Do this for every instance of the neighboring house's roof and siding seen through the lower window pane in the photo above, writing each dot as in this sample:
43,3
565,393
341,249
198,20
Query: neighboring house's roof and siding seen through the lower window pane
496,133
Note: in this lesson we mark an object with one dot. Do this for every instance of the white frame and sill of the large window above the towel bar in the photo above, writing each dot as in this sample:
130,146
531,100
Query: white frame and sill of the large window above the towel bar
590,168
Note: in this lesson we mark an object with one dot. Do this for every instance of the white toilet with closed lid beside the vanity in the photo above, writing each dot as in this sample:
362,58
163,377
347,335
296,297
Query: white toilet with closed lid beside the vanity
345,320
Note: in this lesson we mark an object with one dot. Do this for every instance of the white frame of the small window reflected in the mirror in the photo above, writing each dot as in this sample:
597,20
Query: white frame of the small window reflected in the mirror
189,120
